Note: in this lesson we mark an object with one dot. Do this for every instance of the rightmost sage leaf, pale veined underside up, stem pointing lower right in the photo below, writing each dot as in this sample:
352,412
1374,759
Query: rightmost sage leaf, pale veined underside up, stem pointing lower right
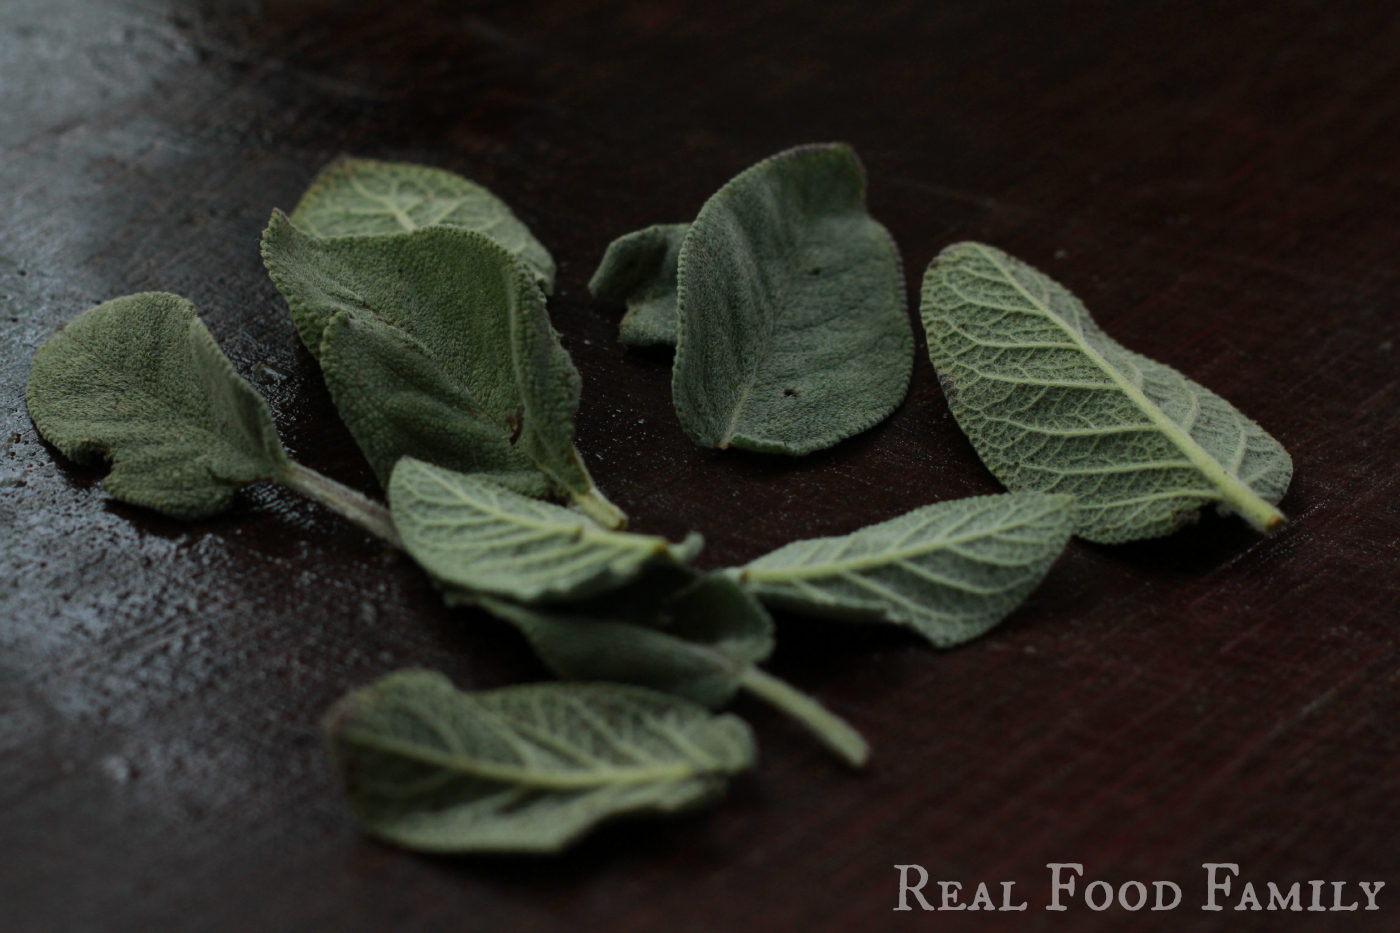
1056,406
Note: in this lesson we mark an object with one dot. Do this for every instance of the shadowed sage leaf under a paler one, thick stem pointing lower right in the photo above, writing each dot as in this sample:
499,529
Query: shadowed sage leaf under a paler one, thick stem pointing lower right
699,637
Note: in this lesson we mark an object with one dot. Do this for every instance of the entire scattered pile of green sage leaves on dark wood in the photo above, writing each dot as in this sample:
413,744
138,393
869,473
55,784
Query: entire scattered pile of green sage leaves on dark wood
423,299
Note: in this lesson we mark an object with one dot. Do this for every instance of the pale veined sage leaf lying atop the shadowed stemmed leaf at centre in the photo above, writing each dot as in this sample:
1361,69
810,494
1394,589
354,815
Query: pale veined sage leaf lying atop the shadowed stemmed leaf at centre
471,533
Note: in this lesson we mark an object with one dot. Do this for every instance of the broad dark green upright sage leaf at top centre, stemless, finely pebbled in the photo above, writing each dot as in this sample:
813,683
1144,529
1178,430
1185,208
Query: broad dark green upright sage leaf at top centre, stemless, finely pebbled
793,330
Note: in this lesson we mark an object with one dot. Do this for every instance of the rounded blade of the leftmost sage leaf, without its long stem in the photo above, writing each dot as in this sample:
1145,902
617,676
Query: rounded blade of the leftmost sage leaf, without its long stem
141,383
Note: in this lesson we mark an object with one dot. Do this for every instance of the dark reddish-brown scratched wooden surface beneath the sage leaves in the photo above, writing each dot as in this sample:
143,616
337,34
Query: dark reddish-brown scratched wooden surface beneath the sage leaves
1220,183
